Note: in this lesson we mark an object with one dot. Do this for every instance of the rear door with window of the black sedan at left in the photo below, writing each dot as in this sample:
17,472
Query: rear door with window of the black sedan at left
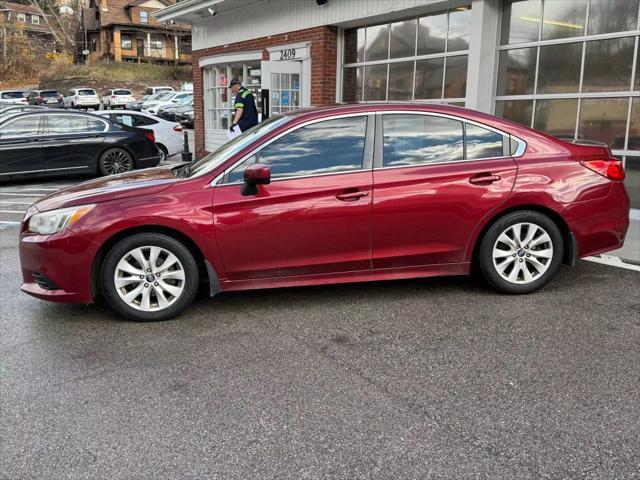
72,141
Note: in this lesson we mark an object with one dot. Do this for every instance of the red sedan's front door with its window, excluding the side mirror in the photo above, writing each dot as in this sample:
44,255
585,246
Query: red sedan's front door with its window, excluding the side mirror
314,217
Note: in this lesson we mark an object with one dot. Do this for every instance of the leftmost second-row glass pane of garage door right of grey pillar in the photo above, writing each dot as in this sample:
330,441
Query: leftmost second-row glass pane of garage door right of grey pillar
517,69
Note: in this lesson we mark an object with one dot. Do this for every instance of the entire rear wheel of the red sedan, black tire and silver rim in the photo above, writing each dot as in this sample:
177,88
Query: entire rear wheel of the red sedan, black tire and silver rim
511,267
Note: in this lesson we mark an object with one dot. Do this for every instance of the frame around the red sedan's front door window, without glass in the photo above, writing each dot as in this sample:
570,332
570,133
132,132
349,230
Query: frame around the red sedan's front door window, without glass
367,154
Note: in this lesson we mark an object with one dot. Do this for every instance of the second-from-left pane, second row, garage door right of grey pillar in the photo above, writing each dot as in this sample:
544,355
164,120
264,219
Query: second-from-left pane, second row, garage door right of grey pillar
559,70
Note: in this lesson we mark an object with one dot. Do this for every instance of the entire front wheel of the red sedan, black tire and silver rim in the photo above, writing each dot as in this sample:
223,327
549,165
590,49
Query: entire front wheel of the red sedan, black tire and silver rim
140,299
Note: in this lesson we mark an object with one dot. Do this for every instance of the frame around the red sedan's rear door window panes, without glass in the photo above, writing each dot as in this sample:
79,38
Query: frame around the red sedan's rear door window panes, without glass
507,138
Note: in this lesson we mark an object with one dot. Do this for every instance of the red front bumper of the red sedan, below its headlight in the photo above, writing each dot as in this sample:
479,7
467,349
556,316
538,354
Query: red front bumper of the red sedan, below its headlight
64,259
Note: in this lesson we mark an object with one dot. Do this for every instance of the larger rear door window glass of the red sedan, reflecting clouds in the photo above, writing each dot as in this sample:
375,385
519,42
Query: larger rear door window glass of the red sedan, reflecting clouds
421,140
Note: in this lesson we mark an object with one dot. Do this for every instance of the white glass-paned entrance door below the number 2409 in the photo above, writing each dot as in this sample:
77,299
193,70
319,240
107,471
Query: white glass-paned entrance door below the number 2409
283,80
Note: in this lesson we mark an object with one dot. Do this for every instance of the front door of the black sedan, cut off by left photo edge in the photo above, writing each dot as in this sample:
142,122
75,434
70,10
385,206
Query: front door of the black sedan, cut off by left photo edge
20,151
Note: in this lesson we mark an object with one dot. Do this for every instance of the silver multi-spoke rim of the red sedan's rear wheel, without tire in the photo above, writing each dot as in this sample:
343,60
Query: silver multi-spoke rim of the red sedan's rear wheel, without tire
522,253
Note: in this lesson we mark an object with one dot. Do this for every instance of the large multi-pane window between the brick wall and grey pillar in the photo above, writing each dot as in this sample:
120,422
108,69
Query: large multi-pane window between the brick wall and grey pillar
388,61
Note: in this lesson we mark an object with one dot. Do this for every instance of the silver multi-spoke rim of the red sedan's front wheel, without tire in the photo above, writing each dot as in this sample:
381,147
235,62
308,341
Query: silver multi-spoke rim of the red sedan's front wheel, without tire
149,278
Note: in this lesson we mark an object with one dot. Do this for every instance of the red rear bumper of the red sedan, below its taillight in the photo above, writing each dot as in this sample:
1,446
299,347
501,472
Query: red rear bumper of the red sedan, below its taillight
599,225
